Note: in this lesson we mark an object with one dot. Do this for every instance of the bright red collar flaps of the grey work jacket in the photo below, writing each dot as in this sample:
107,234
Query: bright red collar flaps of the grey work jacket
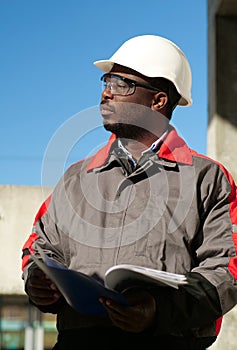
173,149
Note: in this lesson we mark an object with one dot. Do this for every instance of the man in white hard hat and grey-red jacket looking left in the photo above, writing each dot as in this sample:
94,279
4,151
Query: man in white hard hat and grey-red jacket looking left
144,199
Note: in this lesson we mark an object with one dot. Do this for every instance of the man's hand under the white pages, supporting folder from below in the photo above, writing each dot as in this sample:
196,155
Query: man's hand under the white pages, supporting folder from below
138,316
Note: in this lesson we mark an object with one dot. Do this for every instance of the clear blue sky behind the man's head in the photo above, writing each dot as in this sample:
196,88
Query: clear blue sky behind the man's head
48,80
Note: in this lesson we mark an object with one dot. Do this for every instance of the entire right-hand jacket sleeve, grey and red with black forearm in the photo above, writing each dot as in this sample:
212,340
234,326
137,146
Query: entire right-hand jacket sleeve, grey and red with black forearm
212,288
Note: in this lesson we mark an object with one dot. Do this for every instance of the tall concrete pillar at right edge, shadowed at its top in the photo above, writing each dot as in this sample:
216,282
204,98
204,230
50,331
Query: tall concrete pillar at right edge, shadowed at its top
222,97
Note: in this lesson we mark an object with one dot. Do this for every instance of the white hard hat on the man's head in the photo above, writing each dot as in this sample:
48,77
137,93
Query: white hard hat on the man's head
154,56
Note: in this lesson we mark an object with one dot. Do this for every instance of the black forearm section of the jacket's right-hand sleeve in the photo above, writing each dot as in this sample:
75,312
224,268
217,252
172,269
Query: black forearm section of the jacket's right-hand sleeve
191,307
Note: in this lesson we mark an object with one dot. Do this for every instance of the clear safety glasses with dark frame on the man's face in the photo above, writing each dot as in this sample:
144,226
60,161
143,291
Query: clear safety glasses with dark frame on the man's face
119,85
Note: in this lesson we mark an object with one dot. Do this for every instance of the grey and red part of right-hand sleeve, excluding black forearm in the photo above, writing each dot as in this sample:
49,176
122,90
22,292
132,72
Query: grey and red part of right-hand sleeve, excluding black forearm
216,246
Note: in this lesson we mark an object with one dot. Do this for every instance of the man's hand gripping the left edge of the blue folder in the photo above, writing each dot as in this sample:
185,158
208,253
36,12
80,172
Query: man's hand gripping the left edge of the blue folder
41,290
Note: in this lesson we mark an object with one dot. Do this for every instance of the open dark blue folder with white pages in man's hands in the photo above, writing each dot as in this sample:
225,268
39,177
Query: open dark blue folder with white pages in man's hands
82,291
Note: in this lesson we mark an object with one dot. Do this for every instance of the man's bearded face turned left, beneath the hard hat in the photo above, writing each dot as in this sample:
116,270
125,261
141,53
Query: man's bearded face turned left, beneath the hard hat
130,116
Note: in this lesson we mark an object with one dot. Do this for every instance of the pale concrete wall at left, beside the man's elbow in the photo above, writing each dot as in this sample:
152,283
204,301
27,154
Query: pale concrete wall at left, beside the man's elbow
18,206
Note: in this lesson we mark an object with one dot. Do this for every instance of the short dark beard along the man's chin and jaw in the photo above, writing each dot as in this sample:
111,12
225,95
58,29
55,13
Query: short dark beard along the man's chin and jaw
126,131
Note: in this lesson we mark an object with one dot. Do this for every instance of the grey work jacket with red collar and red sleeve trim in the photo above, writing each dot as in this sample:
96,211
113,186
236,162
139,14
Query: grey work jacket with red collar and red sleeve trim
176,211
